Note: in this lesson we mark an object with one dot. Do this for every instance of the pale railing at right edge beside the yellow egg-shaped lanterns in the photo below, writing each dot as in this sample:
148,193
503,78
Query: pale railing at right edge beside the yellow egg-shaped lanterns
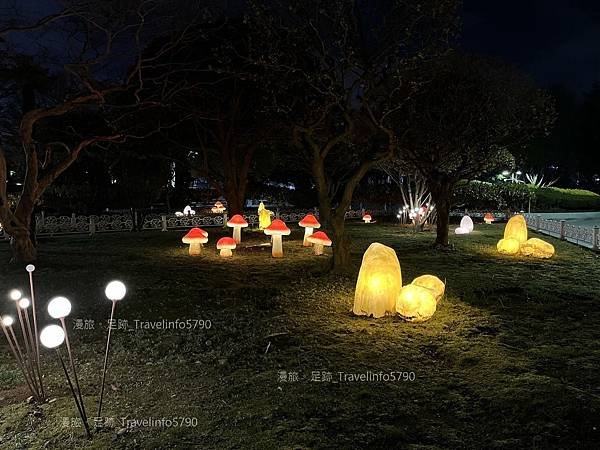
585,236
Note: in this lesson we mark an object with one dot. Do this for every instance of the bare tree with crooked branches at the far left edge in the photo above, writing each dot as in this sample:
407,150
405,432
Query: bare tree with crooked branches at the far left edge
95,59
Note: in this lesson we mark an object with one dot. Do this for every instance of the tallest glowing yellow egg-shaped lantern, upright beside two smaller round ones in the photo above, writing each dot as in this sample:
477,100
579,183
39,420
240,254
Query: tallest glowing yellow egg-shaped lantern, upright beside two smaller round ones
379,282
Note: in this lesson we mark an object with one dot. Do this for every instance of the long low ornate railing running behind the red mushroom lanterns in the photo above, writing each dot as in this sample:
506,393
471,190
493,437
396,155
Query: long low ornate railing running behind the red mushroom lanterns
77,224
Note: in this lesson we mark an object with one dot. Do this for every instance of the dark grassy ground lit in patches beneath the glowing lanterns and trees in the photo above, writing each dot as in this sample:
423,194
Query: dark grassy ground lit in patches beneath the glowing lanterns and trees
509,360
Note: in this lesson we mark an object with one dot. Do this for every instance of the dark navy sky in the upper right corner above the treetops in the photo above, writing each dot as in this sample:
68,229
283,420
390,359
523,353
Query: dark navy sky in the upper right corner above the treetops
553,40
